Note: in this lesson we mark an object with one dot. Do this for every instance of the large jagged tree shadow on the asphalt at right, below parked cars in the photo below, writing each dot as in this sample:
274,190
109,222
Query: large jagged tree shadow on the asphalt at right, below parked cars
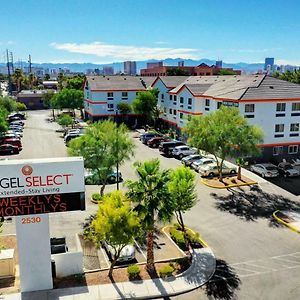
254,204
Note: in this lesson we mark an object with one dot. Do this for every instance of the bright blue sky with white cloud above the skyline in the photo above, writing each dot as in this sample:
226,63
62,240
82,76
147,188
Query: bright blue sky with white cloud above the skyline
106,31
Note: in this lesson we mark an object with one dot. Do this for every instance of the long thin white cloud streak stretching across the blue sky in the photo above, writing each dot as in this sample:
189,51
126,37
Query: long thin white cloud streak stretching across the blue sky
119,52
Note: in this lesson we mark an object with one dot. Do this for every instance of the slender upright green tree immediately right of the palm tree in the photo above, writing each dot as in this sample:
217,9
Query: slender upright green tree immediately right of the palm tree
182,190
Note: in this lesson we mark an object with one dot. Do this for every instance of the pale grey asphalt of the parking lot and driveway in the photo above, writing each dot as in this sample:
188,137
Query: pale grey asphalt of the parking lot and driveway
258,258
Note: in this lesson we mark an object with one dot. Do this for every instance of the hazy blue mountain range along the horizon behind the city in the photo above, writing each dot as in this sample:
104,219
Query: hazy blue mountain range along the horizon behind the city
118,66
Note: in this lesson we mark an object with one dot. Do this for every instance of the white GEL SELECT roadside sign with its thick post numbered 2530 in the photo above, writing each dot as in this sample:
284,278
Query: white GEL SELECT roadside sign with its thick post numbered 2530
30,190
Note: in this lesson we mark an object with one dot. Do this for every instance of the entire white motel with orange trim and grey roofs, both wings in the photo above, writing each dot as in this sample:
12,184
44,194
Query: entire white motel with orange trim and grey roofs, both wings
270,103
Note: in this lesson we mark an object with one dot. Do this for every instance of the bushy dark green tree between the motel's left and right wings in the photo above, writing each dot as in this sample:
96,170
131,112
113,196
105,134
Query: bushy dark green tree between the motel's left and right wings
145,104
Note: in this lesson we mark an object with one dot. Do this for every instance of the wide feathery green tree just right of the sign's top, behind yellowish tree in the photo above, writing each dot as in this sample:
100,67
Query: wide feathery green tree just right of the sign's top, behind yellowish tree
104,146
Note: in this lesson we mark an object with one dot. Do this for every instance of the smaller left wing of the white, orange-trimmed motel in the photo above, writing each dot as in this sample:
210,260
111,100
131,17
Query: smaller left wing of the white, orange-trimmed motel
102,94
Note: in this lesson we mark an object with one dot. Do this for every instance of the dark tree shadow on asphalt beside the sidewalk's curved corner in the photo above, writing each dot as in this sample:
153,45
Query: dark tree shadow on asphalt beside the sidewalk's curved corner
224,282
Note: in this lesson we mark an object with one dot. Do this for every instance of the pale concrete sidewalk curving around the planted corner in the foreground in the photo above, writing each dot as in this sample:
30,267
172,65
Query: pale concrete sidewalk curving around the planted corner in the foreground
201,270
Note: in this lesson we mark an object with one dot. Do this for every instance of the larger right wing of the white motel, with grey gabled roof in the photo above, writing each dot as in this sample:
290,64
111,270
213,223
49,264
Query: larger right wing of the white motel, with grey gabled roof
270,103
